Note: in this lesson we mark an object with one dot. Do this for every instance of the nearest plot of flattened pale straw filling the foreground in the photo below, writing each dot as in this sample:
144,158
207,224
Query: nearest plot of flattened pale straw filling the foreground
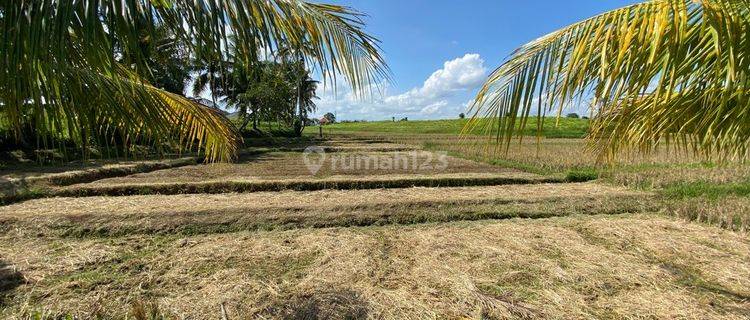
632,266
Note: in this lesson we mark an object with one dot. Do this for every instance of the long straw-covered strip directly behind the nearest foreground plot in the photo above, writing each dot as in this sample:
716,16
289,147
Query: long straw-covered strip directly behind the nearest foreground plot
200,214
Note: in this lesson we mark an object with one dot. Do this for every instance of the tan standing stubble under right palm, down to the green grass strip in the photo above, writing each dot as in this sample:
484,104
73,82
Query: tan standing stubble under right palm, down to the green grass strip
663,167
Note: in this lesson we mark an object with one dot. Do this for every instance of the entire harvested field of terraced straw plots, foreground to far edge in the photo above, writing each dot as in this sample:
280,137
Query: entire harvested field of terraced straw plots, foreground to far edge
267,238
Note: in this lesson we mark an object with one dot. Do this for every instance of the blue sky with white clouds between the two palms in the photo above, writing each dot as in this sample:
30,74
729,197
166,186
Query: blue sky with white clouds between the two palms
440,51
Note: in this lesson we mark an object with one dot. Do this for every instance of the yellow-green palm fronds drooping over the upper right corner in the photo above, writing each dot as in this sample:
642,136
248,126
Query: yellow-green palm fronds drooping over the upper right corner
662,70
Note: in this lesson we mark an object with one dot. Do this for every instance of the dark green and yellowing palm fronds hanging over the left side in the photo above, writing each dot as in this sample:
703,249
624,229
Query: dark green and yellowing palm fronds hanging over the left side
61,70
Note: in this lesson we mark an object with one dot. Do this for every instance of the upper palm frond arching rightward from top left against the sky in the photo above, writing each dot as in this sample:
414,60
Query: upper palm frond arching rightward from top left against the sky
333,35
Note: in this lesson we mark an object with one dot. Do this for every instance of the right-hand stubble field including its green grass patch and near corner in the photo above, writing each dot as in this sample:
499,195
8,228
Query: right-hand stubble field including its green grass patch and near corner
699,184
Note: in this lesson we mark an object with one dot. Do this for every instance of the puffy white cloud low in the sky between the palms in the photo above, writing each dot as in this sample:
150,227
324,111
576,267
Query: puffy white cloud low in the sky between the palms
435,98
